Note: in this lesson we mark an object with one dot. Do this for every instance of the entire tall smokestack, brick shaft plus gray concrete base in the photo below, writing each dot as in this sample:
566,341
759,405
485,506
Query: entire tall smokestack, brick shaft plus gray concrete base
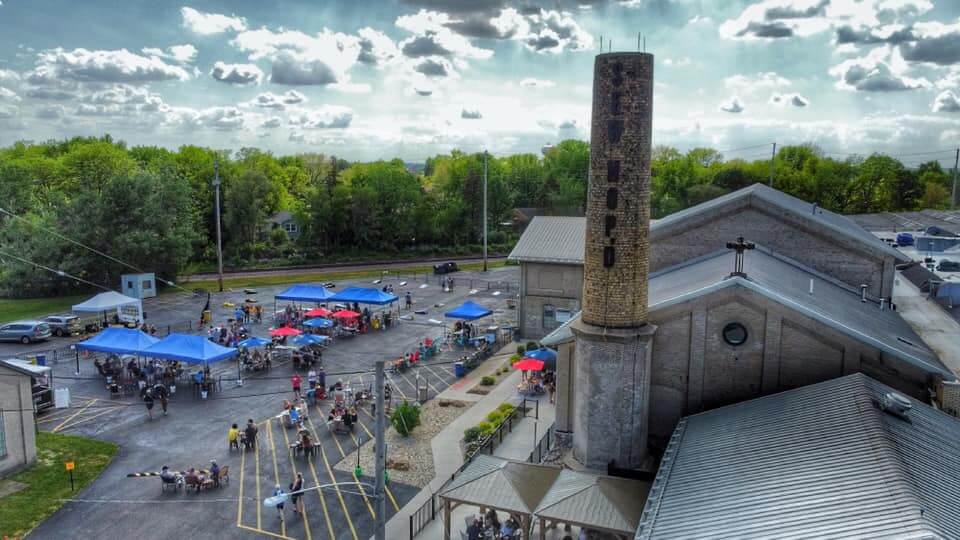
613,338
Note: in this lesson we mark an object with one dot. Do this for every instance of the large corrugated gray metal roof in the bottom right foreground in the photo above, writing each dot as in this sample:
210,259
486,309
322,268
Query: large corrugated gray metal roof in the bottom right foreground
821,461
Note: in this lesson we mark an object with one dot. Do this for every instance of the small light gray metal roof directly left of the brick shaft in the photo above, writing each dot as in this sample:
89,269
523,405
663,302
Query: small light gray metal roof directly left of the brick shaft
552,239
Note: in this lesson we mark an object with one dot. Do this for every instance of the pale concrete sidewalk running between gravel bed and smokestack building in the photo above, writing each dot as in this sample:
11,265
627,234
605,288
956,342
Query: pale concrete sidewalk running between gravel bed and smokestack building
446,444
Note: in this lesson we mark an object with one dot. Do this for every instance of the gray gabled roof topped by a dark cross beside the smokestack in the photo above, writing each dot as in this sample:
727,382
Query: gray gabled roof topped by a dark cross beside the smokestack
787,282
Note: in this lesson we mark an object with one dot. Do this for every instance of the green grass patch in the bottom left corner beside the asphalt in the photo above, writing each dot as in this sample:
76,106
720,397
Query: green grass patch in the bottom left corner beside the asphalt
47,481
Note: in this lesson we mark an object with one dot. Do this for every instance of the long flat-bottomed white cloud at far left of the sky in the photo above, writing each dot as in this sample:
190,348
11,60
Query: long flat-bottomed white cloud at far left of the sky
102,66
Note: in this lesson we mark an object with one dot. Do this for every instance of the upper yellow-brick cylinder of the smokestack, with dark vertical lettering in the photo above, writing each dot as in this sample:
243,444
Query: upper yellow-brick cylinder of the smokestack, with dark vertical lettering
616,261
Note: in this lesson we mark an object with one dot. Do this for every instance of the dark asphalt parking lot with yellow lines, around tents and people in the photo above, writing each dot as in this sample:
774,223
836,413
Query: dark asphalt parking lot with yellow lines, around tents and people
194,432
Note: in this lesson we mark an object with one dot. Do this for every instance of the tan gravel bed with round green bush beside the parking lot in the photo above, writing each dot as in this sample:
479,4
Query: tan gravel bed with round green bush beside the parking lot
412,453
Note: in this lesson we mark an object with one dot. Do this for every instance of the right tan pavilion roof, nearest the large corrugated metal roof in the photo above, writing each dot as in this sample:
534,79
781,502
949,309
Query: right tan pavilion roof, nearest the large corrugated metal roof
595,502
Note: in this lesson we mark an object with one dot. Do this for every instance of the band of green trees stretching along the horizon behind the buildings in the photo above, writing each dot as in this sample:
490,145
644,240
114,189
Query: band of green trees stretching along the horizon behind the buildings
153,207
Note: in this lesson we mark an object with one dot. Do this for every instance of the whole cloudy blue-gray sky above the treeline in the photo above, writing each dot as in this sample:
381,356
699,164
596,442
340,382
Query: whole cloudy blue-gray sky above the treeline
367,79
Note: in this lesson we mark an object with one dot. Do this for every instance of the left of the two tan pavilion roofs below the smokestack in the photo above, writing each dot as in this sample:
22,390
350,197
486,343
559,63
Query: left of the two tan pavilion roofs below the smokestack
512,486
